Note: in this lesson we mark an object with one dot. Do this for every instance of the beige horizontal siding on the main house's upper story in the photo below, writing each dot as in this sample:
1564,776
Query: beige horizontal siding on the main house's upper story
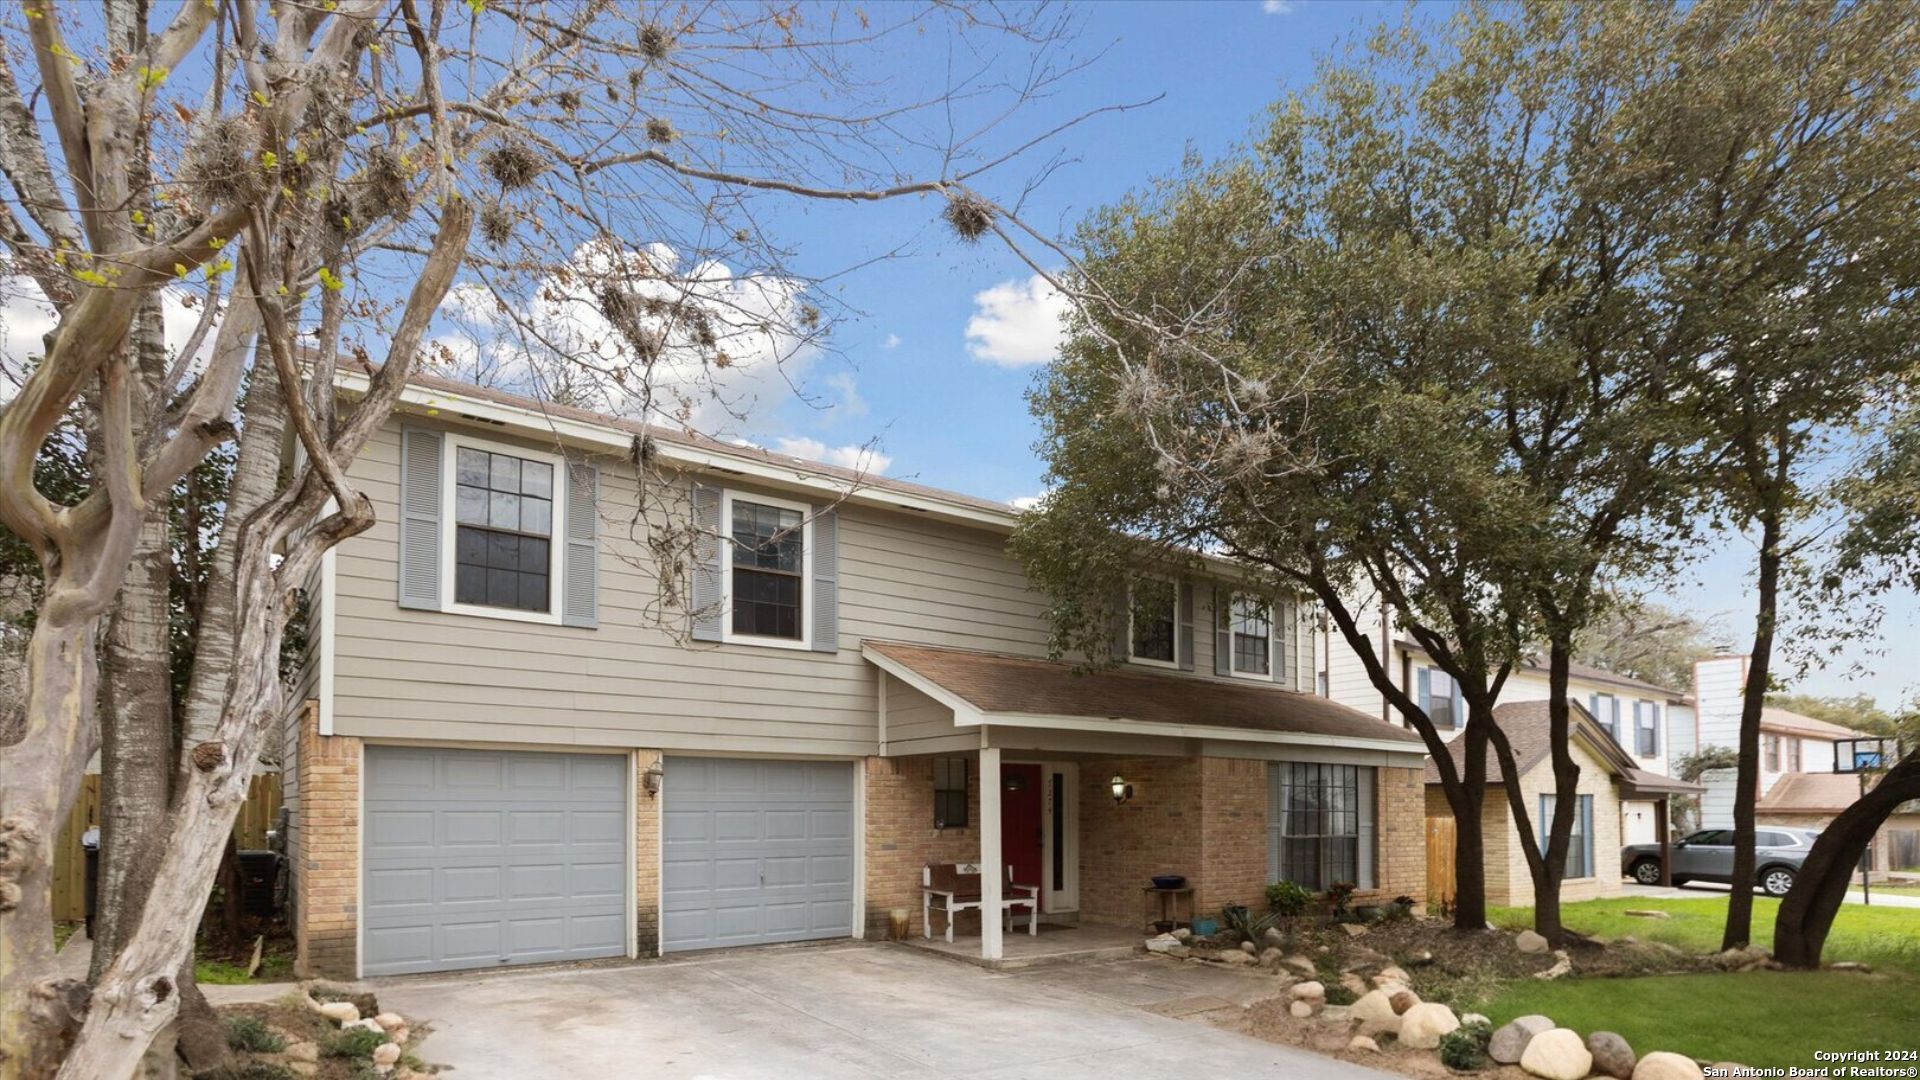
633,681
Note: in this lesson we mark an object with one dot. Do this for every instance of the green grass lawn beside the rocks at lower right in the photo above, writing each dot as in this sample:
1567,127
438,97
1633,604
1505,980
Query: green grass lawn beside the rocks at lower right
1764,1018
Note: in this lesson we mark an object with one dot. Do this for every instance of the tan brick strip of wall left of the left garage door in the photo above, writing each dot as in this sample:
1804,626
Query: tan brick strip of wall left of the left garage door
325,848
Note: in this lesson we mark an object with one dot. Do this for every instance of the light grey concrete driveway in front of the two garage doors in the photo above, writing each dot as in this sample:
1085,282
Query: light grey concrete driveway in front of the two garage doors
848,1010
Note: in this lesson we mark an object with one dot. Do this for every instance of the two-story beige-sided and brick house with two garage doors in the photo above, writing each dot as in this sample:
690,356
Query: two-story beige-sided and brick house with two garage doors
514,747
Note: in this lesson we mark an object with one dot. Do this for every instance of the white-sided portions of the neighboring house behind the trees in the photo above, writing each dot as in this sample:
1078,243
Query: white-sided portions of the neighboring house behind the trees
1644,722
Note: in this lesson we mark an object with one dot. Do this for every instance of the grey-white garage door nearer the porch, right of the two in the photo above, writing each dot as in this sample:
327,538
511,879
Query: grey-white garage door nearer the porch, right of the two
756,852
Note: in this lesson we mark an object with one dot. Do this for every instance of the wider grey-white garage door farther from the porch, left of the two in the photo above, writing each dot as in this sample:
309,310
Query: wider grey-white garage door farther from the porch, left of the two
487,858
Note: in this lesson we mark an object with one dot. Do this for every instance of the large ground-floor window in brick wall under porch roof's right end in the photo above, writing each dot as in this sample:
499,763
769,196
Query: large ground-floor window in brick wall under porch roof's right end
1320,823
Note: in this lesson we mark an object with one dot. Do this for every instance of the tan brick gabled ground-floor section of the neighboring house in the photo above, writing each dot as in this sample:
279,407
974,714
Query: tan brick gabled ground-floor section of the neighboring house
1610,781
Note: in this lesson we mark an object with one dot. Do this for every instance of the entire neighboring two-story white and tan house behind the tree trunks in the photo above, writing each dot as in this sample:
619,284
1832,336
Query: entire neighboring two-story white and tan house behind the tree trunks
1625,731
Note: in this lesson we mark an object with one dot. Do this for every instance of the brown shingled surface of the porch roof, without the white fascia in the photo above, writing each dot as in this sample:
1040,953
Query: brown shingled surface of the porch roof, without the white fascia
997,683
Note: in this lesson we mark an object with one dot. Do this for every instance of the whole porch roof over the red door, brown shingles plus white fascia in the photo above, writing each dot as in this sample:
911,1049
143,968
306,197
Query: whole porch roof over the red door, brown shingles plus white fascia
1007,691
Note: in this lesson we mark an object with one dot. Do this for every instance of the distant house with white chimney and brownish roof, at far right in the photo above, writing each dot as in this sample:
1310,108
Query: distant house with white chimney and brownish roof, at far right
1798,783
